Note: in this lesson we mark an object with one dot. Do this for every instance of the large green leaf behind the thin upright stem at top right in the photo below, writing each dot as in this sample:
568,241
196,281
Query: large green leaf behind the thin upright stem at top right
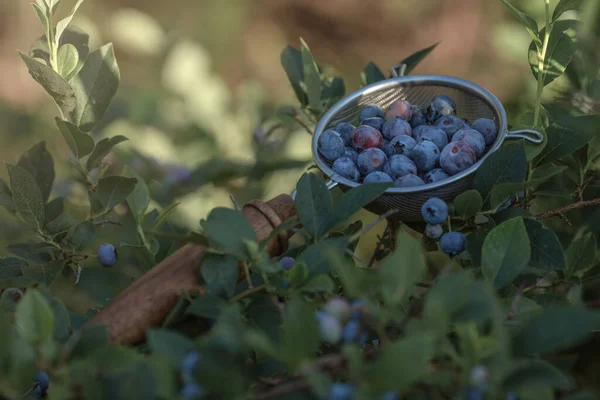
560,51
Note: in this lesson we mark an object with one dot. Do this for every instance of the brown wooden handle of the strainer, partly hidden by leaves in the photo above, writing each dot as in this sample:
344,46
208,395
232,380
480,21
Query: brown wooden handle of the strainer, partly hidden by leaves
147,302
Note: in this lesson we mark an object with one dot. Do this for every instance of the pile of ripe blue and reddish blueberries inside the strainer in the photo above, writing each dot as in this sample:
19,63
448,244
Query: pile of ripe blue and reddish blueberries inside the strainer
407,144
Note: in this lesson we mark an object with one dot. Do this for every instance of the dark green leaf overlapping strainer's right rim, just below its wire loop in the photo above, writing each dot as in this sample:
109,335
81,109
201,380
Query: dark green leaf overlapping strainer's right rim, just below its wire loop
506,165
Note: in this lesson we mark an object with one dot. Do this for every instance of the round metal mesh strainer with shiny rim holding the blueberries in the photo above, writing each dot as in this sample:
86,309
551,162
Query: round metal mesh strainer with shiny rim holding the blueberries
472,102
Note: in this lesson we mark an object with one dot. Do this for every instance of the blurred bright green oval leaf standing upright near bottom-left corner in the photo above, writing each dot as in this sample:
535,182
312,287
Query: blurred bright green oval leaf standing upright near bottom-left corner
34,317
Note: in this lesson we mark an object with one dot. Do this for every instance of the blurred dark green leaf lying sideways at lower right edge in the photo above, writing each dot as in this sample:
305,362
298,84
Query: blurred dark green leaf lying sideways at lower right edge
554,329
